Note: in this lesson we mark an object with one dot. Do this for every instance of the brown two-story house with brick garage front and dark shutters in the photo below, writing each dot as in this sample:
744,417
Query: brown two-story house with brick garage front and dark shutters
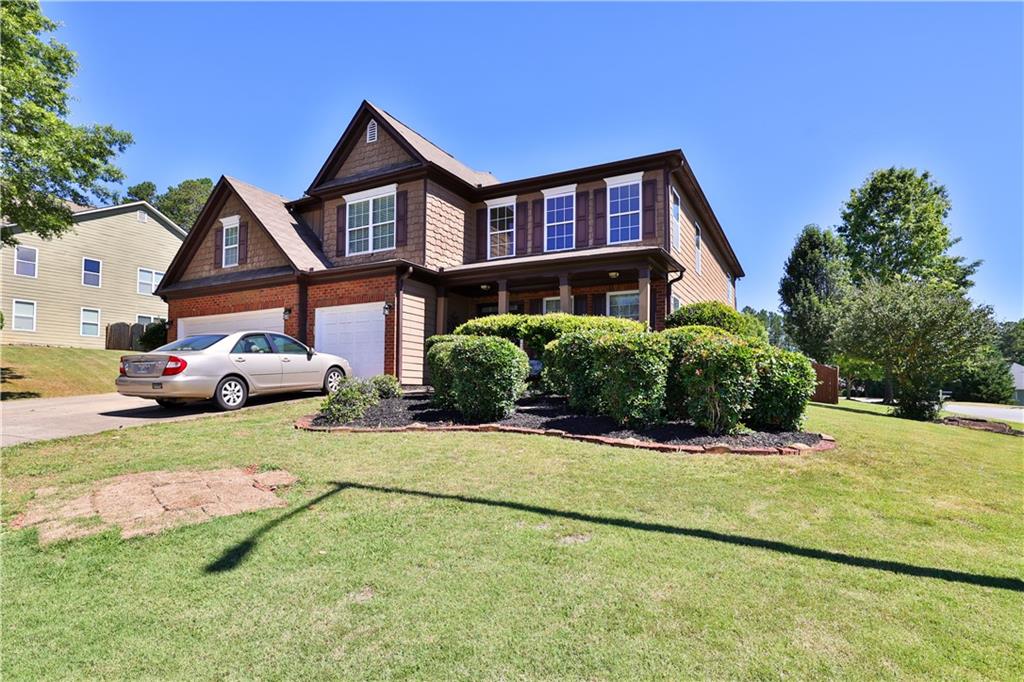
396,240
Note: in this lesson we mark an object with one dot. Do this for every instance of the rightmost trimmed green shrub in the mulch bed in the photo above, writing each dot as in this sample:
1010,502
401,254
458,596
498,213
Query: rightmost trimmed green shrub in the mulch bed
786,383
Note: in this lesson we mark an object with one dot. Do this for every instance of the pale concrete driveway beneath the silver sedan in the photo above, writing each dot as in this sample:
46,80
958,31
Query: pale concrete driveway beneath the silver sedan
41,419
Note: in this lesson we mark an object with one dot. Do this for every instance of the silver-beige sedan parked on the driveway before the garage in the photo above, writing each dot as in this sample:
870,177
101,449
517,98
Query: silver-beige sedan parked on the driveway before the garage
229,368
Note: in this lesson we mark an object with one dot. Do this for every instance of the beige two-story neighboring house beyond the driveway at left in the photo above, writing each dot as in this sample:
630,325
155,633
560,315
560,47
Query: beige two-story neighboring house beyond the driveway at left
65,292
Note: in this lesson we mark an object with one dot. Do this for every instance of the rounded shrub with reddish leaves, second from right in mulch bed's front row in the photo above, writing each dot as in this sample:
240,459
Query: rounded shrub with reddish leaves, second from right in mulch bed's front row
712,377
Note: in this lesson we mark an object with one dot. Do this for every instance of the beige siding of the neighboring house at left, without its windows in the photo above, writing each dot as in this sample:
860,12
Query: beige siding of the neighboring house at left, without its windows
122,243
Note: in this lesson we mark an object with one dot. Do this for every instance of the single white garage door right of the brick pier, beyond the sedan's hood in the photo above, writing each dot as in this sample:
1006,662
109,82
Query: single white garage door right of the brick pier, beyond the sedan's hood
355,332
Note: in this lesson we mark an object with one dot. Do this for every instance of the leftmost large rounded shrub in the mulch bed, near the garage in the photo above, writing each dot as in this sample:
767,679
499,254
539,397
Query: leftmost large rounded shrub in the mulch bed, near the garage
489,375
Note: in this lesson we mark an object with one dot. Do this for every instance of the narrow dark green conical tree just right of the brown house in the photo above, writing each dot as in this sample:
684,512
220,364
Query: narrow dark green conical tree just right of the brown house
814,285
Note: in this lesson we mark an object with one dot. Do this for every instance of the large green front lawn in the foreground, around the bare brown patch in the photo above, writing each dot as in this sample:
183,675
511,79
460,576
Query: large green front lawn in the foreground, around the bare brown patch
897,556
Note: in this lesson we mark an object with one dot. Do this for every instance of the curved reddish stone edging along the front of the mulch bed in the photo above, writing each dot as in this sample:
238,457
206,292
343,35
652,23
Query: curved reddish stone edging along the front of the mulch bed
827,442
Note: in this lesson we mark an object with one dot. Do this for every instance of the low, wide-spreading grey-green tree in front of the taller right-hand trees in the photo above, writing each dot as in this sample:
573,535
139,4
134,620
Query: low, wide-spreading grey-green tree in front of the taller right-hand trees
920,333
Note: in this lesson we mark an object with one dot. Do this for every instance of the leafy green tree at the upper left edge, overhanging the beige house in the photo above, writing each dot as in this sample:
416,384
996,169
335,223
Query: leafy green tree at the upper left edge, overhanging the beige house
44,158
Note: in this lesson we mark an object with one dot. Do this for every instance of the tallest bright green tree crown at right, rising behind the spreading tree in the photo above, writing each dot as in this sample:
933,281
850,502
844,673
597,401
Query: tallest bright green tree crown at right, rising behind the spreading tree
894,226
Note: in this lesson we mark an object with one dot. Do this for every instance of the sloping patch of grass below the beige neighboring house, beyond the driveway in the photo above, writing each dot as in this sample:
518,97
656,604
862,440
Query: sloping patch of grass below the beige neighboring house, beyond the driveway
28,372
